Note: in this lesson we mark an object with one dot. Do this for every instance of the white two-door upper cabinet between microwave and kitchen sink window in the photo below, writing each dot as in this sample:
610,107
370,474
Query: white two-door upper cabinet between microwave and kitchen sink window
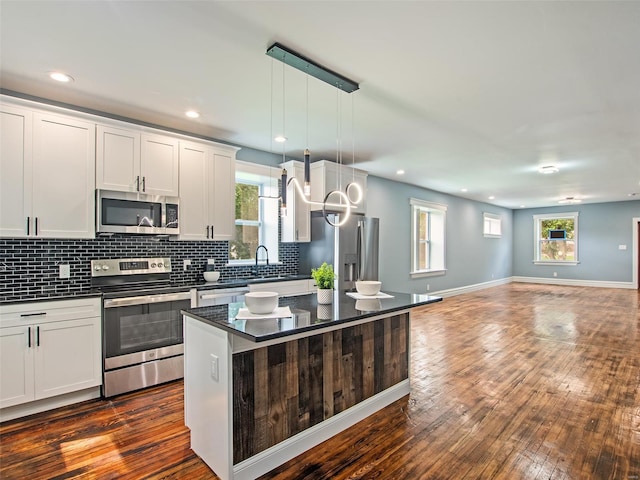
207,191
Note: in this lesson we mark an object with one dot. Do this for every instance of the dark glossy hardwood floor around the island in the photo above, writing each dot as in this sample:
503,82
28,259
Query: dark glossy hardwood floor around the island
520,381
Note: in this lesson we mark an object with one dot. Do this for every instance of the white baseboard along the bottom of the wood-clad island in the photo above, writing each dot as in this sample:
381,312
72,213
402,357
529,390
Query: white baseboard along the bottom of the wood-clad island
284,451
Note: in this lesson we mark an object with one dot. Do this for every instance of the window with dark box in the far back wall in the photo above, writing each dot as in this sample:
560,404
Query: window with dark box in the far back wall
556,238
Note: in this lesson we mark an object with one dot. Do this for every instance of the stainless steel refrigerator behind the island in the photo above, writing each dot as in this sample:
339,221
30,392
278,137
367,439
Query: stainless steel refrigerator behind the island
352,248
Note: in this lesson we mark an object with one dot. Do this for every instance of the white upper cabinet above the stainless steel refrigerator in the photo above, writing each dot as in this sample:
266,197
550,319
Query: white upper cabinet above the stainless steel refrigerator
328,176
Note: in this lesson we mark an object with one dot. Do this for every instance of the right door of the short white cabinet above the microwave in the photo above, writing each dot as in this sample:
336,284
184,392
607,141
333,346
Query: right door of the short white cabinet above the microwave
159,165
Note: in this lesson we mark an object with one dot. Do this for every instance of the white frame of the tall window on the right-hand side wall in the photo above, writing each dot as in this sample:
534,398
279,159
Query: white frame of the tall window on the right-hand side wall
416,207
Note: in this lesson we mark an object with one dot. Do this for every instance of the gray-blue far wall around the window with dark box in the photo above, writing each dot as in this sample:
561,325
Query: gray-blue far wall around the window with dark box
601,228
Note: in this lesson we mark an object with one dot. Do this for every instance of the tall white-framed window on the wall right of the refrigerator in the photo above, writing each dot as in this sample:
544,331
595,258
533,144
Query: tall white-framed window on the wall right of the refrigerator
427,238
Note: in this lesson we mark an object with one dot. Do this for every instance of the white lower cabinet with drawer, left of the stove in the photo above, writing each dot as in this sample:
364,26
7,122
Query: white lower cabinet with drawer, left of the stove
49,349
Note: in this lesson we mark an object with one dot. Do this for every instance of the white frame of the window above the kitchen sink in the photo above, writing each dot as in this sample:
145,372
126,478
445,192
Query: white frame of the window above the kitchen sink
268,228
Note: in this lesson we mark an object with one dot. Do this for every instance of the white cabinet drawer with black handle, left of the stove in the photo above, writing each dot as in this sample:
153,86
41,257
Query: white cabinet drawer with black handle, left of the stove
49,311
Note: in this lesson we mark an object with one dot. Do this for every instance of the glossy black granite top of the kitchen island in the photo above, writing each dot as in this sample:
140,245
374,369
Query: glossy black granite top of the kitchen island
307,314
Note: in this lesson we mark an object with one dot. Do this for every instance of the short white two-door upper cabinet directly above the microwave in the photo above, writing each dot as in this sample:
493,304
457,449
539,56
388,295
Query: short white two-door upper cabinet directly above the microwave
132,161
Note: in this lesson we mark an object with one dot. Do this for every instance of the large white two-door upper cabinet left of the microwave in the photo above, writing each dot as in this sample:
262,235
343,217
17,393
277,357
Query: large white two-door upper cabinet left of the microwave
47,166
